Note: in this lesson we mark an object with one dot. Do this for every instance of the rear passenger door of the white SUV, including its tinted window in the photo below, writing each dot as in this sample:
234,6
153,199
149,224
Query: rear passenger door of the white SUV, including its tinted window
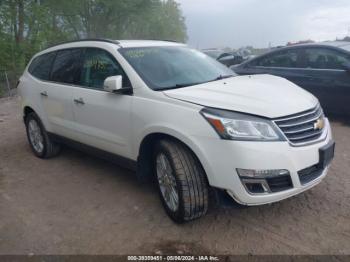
57,94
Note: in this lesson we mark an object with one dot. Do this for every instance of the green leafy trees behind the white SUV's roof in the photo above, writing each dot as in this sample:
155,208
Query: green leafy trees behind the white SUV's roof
27,26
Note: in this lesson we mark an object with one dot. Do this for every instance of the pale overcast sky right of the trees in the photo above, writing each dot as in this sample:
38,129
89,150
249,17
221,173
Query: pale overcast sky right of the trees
260,23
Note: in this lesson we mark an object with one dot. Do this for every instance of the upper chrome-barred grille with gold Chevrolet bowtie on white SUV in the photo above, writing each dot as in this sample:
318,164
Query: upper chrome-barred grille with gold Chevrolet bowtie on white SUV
302,127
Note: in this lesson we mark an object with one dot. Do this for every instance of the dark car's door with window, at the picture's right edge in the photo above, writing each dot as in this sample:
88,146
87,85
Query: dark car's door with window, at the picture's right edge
326,78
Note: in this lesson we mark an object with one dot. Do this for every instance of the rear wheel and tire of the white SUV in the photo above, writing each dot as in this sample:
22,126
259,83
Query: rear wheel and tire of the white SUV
39,140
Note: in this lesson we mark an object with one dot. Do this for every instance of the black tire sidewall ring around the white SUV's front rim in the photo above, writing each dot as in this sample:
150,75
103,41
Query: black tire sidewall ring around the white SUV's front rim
178,215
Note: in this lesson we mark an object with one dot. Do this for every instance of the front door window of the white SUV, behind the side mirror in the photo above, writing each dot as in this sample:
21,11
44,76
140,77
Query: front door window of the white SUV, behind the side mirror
97,66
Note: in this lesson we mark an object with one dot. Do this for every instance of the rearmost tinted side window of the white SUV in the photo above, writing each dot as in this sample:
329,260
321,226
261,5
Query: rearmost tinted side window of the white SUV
41,66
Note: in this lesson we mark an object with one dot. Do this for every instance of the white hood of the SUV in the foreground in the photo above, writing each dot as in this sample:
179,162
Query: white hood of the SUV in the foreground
263,95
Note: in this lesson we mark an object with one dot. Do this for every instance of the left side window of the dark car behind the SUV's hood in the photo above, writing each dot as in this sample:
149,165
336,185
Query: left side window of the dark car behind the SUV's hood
287,58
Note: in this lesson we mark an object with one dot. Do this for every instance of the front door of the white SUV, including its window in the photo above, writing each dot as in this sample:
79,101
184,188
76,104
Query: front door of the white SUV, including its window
102,118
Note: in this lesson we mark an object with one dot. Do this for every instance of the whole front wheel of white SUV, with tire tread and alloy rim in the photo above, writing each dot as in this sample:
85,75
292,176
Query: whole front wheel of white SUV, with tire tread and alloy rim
181,181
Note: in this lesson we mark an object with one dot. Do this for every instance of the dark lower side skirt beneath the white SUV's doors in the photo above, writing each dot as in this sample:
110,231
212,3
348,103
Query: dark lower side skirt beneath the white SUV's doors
119,160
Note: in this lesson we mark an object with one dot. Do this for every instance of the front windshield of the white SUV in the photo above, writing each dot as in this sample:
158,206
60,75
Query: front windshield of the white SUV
174,67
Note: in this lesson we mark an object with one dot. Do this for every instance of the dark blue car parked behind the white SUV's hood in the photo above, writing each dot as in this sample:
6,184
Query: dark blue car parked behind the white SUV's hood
323,69
